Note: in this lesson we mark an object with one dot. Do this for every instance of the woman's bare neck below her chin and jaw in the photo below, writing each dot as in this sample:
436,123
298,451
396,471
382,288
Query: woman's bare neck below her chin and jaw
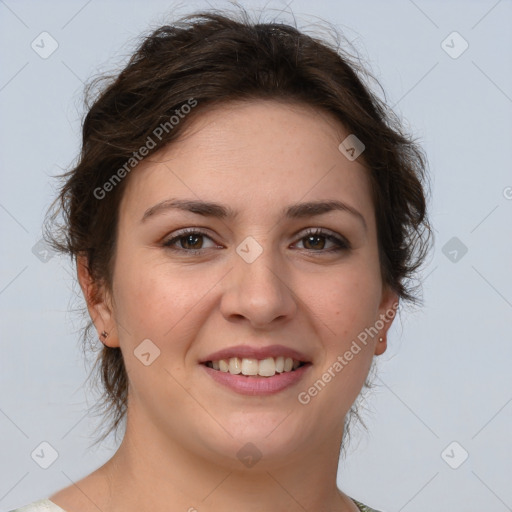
162,475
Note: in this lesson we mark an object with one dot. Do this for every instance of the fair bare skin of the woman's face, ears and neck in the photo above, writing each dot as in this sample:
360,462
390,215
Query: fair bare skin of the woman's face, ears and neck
183,429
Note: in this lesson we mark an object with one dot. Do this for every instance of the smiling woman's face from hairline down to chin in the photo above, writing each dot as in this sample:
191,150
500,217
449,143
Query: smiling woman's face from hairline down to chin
260,275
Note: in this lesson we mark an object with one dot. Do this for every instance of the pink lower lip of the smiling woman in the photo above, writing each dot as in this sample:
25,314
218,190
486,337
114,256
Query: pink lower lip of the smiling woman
256,385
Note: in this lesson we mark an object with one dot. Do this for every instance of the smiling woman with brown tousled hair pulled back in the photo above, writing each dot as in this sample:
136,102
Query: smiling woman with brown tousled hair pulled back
245,218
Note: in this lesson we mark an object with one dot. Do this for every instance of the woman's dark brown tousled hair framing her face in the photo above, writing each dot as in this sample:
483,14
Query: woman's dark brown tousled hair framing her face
211,58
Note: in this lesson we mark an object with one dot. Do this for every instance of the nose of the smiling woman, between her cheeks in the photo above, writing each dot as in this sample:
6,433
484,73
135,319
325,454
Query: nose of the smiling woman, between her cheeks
258,292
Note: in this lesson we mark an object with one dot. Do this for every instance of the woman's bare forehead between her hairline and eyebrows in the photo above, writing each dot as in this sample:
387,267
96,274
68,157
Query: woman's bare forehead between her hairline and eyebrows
260,154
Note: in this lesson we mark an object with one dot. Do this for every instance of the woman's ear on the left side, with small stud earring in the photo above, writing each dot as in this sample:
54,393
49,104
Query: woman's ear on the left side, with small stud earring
99,303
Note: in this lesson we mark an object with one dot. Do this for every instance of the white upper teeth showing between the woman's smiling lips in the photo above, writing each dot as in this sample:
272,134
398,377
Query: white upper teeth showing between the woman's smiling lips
251,367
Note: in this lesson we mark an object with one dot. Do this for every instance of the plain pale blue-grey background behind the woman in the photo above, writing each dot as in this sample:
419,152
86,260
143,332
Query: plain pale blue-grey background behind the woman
446,375
